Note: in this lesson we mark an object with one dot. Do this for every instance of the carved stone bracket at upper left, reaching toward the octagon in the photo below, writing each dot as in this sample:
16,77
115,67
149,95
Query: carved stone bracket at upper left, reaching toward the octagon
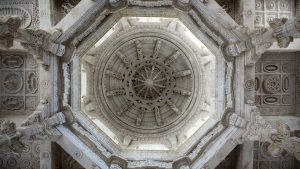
39,42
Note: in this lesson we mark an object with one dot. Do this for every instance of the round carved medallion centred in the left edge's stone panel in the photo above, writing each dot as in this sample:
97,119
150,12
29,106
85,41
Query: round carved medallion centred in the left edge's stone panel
12,83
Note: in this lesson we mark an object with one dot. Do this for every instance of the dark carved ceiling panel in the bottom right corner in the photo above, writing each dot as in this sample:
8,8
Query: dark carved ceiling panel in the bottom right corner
262,160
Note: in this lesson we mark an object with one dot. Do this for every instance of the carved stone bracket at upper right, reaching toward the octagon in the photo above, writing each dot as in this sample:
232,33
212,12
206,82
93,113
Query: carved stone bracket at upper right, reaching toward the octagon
258,41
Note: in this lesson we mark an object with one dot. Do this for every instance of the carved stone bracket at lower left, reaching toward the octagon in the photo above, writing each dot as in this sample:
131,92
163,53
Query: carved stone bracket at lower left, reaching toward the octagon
40,125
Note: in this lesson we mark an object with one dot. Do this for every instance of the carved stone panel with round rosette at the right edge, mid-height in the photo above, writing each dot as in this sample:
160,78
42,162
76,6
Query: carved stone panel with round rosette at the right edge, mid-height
275,78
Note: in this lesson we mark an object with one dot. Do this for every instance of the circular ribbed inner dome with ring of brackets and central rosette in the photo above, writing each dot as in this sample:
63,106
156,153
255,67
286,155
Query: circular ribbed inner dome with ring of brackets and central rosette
147,84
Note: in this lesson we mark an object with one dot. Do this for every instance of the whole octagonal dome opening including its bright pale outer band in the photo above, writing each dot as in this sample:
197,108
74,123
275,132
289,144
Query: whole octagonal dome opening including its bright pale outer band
149,85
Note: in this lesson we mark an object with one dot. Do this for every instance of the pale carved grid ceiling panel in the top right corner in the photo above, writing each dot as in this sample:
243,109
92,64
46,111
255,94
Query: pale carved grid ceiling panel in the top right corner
267,10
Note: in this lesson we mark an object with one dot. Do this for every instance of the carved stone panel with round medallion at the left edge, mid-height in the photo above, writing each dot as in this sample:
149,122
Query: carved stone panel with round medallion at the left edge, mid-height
19,83
